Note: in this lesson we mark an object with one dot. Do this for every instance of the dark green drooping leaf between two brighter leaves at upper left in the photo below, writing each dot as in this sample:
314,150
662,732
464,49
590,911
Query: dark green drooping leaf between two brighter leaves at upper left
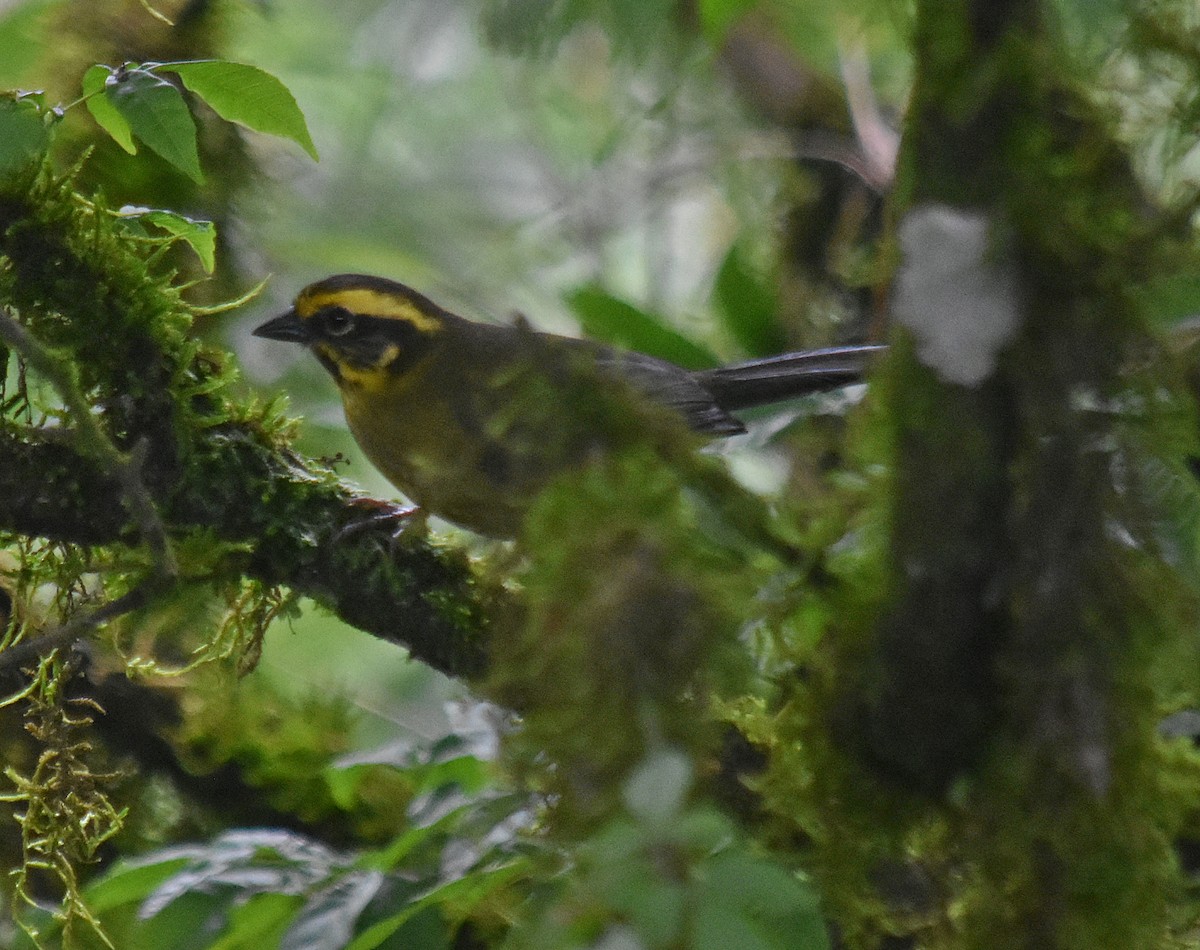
158,116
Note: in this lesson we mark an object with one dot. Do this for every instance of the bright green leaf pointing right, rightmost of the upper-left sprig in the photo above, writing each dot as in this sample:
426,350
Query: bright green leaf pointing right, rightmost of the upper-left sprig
247,95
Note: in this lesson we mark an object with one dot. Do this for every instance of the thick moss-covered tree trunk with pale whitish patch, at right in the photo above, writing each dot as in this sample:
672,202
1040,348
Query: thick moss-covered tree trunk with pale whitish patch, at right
1004,702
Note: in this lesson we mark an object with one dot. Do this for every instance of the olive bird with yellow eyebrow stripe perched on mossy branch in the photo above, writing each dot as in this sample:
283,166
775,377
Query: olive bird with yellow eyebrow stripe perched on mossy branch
472,420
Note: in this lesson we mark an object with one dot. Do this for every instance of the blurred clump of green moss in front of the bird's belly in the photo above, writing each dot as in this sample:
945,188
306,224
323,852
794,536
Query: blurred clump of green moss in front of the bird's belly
632,609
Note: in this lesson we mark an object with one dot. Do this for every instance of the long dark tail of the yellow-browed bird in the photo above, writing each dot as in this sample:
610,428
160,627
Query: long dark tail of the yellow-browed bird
787,377
